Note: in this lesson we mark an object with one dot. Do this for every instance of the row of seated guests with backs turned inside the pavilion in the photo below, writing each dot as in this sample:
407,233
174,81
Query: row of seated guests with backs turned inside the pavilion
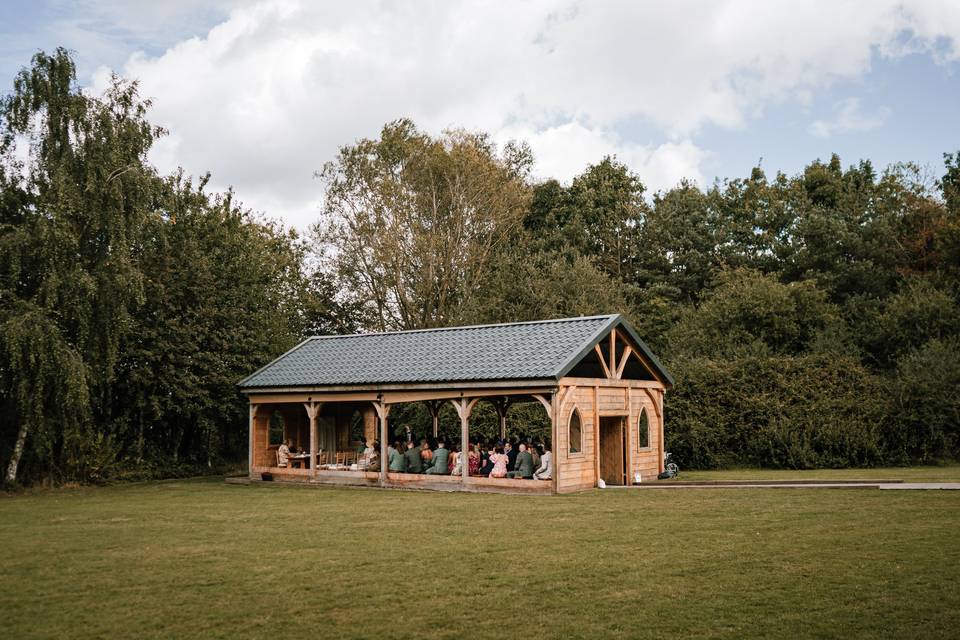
514,459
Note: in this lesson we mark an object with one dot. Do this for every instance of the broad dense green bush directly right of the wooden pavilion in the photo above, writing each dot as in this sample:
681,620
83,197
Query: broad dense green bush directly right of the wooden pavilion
795,412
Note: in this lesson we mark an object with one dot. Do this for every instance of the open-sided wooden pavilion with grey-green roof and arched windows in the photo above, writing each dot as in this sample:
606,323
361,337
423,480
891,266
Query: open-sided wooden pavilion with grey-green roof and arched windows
601,387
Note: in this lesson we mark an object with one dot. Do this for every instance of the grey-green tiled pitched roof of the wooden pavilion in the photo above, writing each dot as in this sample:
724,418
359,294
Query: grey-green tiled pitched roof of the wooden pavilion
538,350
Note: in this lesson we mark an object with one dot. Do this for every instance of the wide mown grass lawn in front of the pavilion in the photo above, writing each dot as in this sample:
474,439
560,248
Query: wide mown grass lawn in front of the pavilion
203,559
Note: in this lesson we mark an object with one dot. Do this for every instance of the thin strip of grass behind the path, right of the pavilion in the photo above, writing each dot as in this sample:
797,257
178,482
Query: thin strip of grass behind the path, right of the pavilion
945,473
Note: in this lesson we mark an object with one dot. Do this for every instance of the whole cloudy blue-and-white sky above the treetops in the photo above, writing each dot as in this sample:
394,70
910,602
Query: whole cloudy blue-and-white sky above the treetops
262,92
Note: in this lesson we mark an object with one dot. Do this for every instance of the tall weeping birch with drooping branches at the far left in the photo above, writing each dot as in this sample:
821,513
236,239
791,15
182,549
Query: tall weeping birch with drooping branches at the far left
70,221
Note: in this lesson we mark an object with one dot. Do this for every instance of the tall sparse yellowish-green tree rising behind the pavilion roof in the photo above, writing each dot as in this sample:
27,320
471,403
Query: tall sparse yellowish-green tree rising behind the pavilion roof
411,223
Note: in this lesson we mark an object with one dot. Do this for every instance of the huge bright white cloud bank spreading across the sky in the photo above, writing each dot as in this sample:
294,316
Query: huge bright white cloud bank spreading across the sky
268,95
